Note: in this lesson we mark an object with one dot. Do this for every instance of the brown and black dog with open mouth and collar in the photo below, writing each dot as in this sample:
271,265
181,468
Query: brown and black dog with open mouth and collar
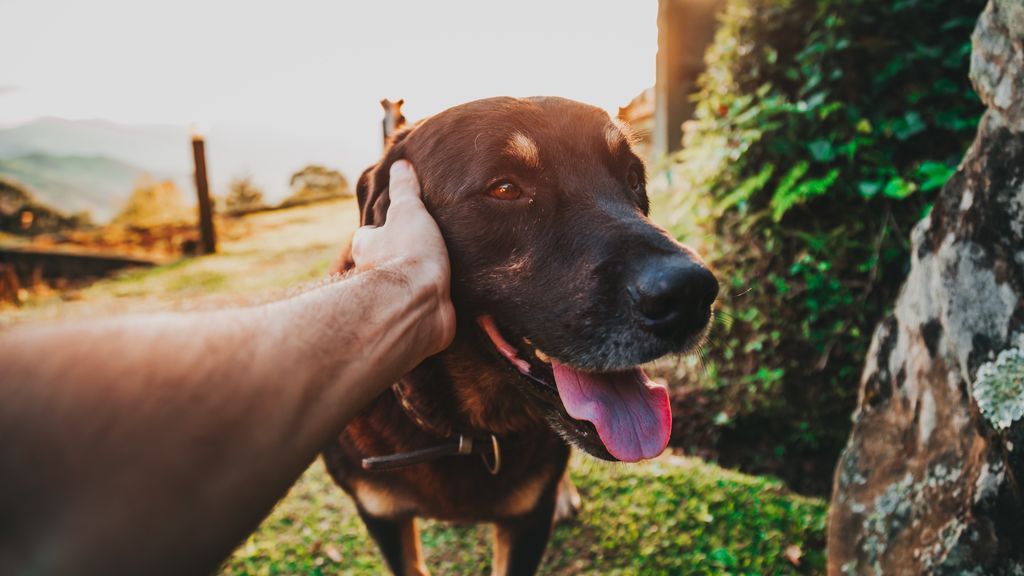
563,286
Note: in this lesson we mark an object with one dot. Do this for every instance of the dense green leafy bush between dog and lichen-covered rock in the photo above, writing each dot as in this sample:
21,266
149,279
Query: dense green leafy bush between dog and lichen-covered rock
823,132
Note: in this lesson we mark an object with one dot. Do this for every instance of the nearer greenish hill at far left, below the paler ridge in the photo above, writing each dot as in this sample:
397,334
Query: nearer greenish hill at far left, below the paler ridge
73,184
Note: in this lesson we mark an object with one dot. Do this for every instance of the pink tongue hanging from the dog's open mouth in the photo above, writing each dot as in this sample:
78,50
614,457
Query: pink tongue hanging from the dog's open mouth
630,413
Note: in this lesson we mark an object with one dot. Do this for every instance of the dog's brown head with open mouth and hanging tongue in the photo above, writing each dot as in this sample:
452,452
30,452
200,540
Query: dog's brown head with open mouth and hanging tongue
558,271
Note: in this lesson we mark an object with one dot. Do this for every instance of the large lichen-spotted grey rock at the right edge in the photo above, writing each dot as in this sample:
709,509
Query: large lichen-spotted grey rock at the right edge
930,481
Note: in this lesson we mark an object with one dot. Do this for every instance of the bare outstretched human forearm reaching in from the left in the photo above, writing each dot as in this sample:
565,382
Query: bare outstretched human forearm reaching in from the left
186,430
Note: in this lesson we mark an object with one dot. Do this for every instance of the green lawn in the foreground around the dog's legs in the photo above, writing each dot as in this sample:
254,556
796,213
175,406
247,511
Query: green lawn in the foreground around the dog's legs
672,516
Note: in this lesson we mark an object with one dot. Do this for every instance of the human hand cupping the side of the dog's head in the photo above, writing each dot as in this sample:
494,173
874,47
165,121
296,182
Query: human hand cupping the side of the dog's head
410,245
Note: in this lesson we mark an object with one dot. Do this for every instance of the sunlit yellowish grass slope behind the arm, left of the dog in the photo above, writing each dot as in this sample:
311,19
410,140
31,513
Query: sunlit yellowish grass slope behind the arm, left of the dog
260,258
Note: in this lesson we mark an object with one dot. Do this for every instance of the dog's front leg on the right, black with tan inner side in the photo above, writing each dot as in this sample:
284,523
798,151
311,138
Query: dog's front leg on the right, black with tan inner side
520,544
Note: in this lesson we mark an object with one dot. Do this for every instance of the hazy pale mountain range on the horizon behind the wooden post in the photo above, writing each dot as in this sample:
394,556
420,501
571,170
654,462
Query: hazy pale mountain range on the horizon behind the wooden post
75,166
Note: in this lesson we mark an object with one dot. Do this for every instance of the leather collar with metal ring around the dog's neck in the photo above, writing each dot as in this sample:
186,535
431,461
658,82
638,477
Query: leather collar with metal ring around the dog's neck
456,445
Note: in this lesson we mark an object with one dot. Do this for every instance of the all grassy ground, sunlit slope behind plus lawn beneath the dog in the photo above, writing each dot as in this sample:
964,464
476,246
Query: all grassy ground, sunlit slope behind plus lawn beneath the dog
671,516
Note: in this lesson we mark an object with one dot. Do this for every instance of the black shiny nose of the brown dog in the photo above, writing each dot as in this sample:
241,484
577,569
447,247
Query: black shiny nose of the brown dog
674,297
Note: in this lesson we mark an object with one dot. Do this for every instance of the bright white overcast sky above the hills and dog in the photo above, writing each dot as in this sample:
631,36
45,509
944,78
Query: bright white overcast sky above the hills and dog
311,74
